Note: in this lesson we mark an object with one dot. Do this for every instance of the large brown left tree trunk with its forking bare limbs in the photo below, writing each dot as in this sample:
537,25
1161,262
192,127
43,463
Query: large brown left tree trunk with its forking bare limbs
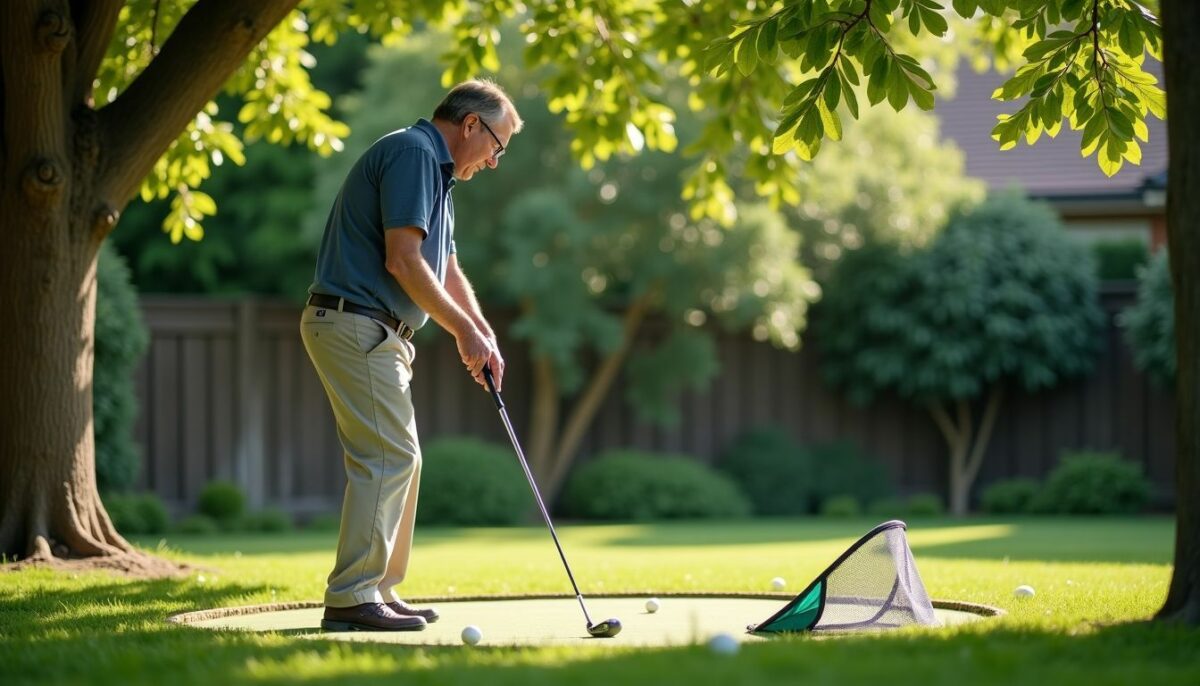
67,174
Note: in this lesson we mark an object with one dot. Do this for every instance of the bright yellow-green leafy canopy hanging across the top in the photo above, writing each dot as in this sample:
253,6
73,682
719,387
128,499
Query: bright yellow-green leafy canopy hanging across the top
785,76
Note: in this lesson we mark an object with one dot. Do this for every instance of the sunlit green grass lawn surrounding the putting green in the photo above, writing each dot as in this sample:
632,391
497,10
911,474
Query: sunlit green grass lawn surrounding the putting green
1096,581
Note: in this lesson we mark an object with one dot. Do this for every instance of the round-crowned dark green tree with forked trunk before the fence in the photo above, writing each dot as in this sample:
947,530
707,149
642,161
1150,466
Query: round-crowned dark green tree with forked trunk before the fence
1003,298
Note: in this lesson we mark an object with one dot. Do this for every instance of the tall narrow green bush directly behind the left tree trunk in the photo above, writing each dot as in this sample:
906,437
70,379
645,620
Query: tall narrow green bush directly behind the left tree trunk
122,339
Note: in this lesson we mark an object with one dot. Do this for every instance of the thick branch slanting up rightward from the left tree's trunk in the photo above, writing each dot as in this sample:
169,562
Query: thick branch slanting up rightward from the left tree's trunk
211,43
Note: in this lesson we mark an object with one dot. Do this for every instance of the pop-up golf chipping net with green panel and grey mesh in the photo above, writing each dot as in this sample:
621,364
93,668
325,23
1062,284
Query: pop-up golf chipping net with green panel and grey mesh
873,586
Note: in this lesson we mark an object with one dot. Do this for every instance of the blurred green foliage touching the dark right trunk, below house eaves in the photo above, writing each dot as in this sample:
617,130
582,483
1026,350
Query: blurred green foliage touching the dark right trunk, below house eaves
1150,323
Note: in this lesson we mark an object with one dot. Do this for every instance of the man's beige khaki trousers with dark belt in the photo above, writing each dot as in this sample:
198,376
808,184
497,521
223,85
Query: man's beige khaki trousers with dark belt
367,369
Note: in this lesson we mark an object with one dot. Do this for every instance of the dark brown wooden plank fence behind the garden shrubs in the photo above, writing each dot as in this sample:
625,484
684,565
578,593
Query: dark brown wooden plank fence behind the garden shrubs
226,392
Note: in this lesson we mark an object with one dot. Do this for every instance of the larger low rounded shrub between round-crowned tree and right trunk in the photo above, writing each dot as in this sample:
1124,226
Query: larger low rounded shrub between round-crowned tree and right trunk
1094,484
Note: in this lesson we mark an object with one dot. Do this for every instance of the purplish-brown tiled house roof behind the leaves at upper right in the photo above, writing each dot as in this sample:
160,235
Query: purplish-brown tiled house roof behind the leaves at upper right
1053,167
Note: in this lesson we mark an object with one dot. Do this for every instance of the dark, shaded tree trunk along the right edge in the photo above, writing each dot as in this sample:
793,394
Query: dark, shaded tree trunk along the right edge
1181,67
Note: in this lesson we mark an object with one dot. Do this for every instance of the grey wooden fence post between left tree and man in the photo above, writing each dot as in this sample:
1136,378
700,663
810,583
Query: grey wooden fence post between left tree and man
250,470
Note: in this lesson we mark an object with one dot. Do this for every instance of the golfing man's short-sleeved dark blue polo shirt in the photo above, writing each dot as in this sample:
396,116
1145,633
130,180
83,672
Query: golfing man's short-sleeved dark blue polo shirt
403,180
